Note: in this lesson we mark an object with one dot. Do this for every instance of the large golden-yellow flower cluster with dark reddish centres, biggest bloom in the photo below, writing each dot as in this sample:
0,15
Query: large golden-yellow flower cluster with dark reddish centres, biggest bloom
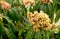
39,20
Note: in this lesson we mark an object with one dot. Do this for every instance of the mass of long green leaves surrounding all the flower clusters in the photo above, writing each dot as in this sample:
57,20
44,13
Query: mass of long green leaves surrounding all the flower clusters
15,24
